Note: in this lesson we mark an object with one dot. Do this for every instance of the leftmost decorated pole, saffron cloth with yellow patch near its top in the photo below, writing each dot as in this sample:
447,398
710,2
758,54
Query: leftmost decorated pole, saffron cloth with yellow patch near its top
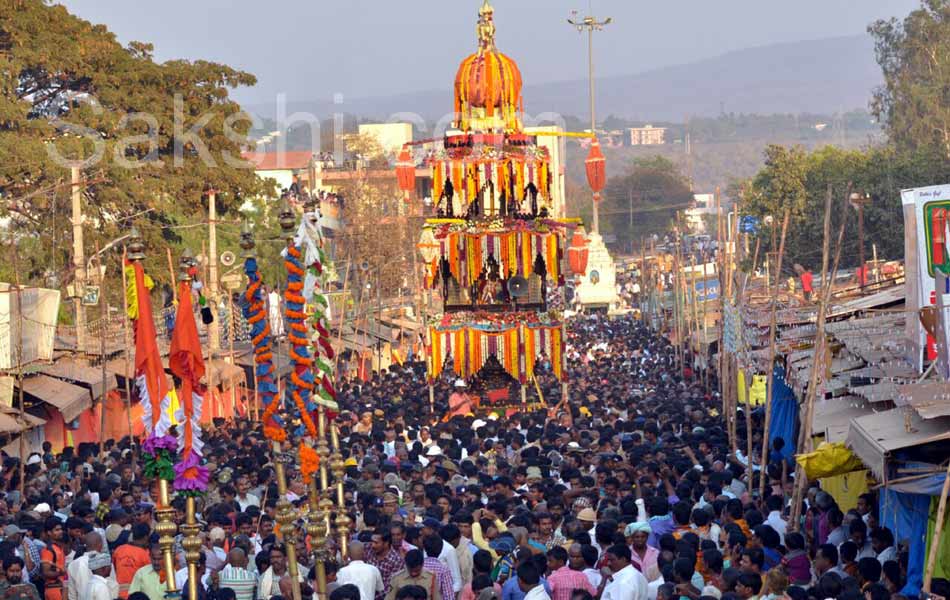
152,389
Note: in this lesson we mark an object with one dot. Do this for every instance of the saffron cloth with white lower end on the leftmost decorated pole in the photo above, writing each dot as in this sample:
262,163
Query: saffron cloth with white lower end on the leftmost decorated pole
150,380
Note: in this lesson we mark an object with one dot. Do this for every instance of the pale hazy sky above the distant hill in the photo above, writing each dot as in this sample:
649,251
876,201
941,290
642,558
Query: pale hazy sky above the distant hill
311,49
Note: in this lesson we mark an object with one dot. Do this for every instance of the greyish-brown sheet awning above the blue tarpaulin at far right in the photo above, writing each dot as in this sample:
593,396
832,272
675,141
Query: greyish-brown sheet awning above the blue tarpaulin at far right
874,437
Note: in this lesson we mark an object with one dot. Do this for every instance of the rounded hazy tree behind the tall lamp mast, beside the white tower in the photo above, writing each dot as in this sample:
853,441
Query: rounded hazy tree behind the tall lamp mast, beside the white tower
643,200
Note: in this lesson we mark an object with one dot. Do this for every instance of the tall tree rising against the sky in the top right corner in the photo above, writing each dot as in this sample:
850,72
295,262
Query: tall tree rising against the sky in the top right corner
914,102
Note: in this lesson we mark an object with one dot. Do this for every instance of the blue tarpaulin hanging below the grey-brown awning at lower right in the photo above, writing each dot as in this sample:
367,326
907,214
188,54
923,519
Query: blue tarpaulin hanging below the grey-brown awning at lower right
906,516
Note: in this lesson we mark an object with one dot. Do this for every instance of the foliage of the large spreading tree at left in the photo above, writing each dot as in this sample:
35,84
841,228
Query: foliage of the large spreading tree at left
70,92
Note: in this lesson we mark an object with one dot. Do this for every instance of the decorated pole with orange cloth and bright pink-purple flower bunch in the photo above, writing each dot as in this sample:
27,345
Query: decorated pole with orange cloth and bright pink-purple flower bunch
186,363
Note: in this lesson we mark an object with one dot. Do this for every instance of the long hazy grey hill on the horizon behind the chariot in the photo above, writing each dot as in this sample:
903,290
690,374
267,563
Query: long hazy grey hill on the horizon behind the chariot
816,76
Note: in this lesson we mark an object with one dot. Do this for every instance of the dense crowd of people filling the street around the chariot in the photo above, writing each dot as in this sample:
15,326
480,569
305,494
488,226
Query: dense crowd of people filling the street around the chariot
627,492
